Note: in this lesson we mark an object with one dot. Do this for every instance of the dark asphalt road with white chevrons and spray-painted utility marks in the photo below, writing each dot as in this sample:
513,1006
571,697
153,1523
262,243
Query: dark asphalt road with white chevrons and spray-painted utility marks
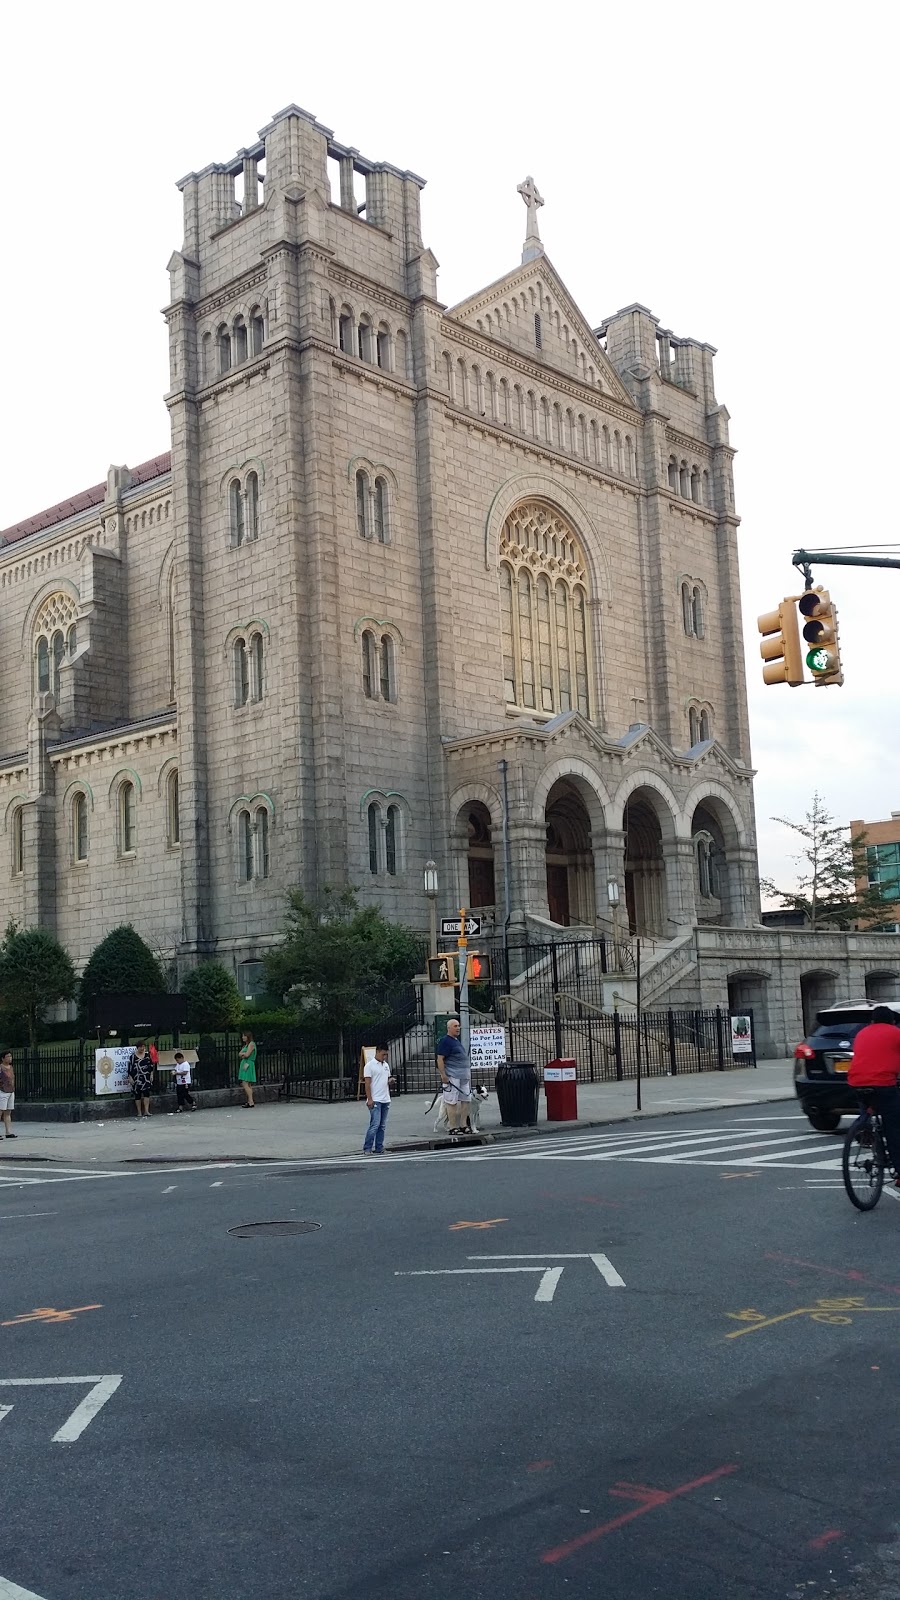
657,1361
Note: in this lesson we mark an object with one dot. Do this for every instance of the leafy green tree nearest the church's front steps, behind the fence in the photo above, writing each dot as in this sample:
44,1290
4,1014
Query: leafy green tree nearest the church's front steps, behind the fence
340,961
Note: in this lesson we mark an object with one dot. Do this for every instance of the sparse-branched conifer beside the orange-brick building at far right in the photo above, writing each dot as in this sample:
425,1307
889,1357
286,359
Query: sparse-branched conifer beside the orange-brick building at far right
832,882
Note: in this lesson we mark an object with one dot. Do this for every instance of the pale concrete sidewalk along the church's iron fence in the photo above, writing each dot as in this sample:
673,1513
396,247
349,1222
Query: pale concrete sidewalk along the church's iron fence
308,1129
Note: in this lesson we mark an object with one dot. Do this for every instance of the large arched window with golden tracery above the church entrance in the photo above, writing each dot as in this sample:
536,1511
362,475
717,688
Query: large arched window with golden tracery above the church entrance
544,609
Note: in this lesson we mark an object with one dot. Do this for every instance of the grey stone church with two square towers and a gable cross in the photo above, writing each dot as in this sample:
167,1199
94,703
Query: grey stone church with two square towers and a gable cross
412,583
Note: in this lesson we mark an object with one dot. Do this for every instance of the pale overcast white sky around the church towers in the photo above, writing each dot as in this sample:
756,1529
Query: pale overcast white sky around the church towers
733,169
